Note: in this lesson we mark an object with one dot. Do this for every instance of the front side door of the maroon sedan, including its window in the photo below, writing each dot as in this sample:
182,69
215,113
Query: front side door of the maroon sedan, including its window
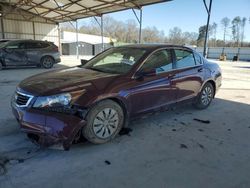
154,88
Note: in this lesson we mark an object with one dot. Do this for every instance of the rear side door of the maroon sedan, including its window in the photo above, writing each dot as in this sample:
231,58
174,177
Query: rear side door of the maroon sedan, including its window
188,76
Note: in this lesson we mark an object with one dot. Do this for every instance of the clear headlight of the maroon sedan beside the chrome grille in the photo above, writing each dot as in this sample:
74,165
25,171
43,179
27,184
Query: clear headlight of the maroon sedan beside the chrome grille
53,101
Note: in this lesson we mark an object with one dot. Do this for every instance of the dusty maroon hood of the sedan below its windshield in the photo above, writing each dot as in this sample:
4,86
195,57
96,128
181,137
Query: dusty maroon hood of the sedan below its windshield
65,80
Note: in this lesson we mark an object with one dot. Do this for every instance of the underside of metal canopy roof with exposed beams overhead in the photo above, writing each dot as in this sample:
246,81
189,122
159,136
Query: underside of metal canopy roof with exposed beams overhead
70,10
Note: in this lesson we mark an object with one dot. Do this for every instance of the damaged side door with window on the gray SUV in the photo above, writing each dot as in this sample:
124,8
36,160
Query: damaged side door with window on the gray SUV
14,54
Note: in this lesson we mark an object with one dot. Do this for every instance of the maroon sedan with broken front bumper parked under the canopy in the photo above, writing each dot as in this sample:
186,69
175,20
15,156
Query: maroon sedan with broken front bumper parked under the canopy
98,98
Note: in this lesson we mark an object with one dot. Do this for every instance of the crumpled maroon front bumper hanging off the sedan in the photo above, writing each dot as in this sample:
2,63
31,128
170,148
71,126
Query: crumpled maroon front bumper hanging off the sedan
48,127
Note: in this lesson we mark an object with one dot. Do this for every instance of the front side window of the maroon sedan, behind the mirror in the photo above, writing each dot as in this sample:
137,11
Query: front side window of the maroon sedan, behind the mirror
159,61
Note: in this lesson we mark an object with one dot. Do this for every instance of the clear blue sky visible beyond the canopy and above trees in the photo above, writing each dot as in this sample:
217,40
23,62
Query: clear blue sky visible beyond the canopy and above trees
189,15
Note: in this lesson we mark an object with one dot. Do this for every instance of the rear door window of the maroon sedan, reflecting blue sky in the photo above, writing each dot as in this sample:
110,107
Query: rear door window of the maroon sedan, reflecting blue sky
184,59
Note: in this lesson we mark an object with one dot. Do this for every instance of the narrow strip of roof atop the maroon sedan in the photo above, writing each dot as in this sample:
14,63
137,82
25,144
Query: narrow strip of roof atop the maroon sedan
154,46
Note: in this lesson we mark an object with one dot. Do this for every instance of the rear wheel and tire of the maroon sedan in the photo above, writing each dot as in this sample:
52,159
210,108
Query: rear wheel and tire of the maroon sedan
205,97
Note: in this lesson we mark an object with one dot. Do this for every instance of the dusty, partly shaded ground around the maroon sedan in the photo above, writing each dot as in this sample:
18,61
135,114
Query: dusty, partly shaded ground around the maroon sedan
167,149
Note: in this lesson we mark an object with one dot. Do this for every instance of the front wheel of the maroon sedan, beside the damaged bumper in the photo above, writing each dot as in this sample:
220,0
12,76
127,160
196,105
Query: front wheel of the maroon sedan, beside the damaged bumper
104,122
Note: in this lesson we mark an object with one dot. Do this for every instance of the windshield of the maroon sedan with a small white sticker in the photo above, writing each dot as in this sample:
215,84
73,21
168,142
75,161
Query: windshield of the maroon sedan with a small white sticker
115,60
